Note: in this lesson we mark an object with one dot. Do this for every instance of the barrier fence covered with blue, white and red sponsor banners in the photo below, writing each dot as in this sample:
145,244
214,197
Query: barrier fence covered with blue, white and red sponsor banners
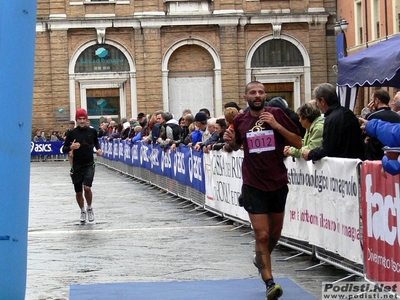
342,211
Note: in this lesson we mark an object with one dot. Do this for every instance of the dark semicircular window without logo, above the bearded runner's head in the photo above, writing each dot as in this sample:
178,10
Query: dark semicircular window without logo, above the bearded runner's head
277,53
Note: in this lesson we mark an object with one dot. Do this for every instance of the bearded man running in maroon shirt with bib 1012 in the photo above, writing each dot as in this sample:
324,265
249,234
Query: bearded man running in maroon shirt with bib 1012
263,132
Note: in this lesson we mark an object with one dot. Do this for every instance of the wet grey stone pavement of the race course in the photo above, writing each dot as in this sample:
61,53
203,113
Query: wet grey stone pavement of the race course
140,234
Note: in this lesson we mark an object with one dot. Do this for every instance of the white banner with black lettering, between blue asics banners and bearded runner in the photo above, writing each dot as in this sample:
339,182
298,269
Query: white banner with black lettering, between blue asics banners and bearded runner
223,176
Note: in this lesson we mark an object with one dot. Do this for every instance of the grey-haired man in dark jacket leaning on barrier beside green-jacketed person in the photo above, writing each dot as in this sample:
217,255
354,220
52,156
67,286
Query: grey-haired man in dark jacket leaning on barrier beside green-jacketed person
342,135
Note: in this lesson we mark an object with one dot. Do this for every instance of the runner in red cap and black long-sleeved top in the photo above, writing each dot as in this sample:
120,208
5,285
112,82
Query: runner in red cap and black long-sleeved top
79,143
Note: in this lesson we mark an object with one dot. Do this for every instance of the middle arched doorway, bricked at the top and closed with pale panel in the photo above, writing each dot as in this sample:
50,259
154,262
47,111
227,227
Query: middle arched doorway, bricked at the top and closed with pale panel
198,85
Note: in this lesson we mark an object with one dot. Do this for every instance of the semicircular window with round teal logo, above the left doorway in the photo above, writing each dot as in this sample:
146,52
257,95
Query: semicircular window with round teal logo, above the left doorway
101,58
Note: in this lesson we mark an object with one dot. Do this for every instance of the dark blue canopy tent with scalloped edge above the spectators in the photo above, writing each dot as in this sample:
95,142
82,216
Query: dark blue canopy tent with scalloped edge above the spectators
378,65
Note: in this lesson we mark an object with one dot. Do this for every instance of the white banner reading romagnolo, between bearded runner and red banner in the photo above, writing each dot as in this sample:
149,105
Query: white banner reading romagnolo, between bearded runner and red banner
323,205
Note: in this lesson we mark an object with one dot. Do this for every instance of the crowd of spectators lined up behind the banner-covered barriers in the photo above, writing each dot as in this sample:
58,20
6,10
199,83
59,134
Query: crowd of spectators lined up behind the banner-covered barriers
327,128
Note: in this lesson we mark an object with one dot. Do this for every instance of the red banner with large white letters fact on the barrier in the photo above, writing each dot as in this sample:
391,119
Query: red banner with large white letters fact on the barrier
381,223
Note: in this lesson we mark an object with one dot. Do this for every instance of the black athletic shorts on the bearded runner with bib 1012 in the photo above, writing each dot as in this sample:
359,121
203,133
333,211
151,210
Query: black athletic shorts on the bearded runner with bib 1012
256,201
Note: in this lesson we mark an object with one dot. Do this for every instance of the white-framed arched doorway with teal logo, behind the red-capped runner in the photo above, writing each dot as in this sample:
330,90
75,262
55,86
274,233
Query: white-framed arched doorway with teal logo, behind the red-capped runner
104,76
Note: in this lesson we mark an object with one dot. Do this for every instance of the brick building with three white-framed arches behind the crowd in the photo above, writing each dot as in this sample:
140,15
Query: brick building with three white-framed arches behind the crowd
118,58
